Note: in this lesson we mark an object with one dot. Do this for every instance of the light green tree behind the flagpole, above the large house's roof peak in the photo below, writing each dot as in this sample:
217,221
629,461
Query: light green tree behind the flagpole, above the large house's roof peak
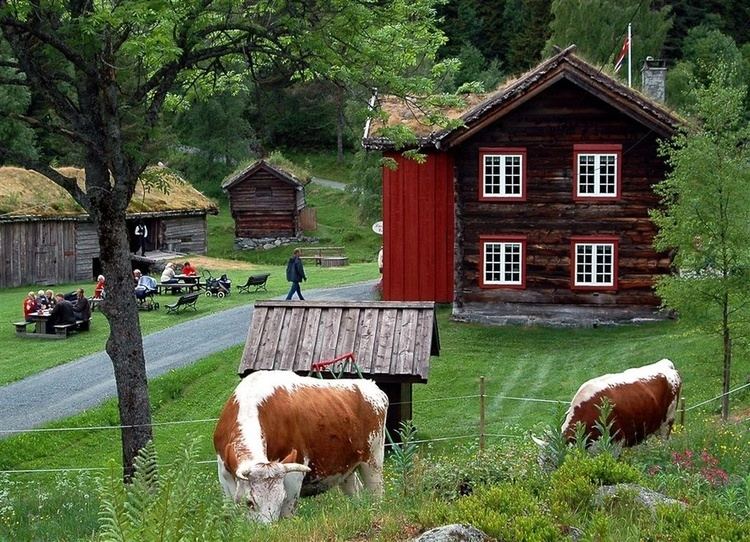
598,28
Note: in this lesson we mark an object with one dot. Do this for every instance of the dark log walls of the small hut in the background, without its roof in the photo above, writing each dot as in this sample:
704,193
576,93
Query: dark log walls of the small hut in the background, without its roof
263,205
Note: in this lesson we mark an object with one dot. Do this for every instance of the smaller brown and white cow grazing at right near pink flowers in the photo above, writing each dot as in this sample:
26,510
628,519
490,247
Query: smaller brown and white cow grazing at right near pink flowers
644,402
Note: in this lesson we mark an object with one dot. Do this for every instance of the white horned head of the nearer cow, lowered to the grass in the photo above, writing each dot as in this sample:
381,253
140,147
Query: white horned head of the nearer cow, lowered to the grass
270,490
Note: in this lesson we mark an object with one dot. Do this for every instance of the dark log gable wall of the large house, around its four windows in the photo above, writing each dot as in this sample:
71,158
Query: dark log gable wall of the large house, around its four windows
548,126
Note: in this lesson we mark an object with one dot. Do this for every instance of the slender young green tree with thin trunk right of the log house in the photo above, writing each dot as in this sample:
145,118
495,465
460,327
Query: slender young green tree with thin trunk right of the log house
705,218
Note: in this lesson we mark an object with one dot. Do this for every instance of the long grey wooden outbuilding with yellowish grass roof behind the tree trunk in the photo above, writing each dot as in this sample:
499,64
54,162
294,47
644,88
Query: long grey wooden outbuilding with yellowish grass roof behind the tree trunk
46,238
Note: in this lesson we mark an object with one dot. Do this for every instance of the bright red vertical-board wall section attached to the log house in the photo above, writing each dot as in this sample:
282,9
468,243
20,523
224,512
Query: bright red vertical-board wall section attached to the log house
418,230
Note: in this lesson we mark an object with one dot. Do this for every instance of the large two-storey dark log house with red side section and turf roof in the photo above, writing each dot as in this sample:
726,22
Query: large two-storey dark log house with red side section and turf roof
534,207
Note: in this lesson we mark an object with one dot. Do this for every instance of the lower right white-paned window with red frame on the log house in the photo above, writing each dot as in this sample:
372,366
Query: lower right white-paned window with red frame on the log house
595,263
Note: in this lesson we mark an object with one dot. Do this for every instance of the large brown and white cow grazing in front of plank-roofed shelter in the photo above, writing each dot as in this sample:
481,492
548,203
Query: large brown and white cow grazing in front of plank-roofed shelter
274,418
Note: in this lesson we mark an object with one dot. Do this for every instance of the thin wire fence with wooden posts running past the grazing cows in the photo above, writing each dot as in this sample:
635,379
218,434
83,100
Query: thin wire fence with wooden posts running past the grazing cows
480,435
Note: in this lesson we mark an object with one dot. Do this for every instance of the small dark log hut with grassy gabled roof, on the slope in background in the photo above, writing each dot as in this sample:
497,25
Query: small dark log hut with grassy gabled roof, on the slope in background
265,201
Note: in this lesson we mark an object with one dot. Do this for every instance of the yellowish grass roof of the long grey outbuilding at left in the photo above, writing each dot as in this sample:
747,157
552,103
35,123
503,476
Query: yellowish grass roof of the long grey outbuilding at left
28,193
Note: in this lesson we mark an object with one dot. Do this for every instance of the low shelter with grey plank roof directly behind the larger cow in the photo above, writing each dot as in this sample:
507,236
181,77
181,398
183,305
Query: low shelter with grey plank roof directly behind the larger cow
392,342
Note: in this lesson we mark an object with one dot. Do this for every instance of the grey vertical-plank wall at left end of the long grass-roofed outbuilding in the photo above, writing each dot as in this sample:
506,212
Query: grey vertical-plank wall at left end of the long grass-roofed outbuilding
37,252
